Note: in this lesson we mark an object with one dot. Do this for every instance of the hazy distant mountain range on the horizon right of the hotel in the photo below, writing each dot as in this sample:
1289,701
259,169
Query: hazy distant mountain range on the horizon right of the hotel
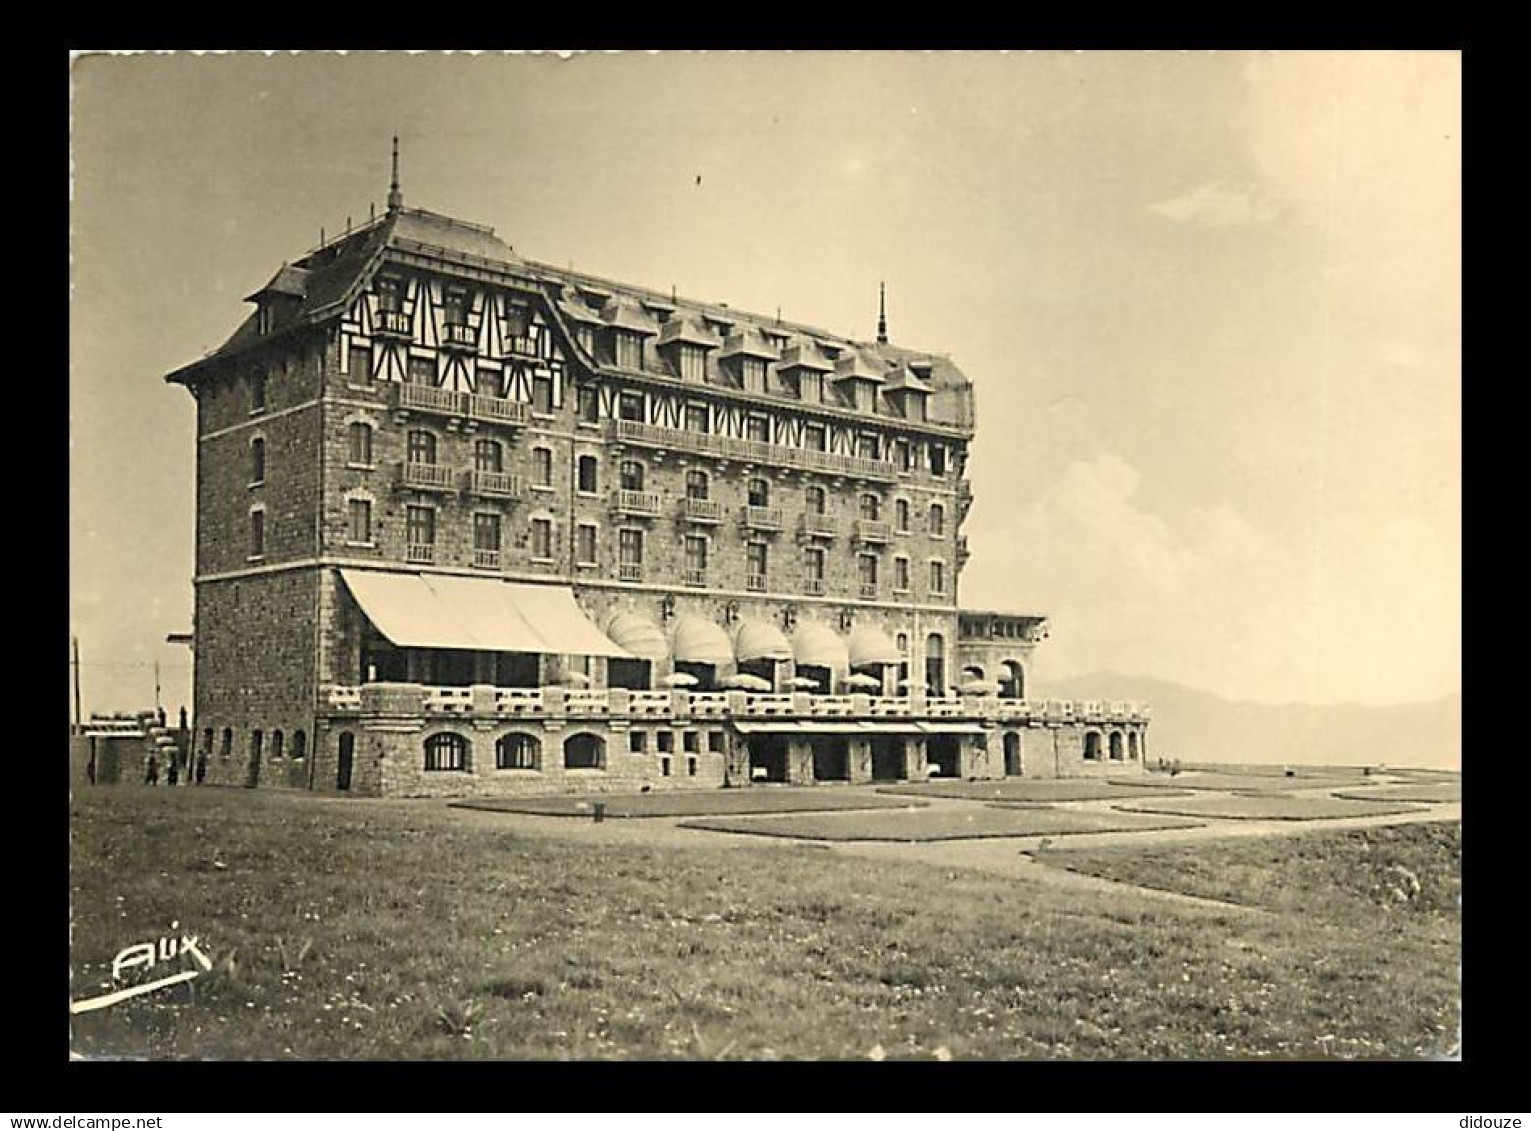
1198,726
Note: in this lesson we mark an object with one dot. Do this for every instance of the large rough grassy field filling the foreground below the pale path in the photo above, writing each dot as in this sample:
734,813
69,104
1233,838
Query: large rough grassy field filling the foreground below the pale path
410,931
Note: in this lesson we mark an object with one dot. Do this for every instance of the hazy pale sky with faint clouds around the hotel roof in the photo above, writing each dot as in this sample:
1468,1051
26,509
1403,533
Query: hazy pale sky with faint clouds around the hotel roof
1210,305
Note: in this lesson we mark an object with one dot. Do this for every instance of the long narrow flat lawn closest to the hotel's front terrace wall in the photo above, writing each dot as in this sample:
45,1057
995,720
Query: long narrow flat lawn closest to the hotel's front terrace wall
700,803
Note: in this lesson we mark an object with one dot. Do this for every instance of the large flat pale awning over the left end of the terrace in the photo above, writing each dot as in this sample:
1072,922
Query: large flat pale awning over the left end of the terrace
480,614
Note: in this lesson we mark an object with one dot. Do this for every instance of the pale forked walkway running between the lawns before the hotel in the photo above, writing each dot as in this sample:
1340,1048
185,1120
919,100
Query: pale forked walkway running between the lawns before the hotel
1002,856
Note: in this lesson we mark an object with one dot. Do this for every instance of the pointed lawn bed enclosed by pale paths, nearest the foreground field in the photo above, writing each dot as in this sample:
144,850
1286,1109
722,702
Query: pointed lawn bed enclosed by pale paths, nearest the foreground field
965,824
